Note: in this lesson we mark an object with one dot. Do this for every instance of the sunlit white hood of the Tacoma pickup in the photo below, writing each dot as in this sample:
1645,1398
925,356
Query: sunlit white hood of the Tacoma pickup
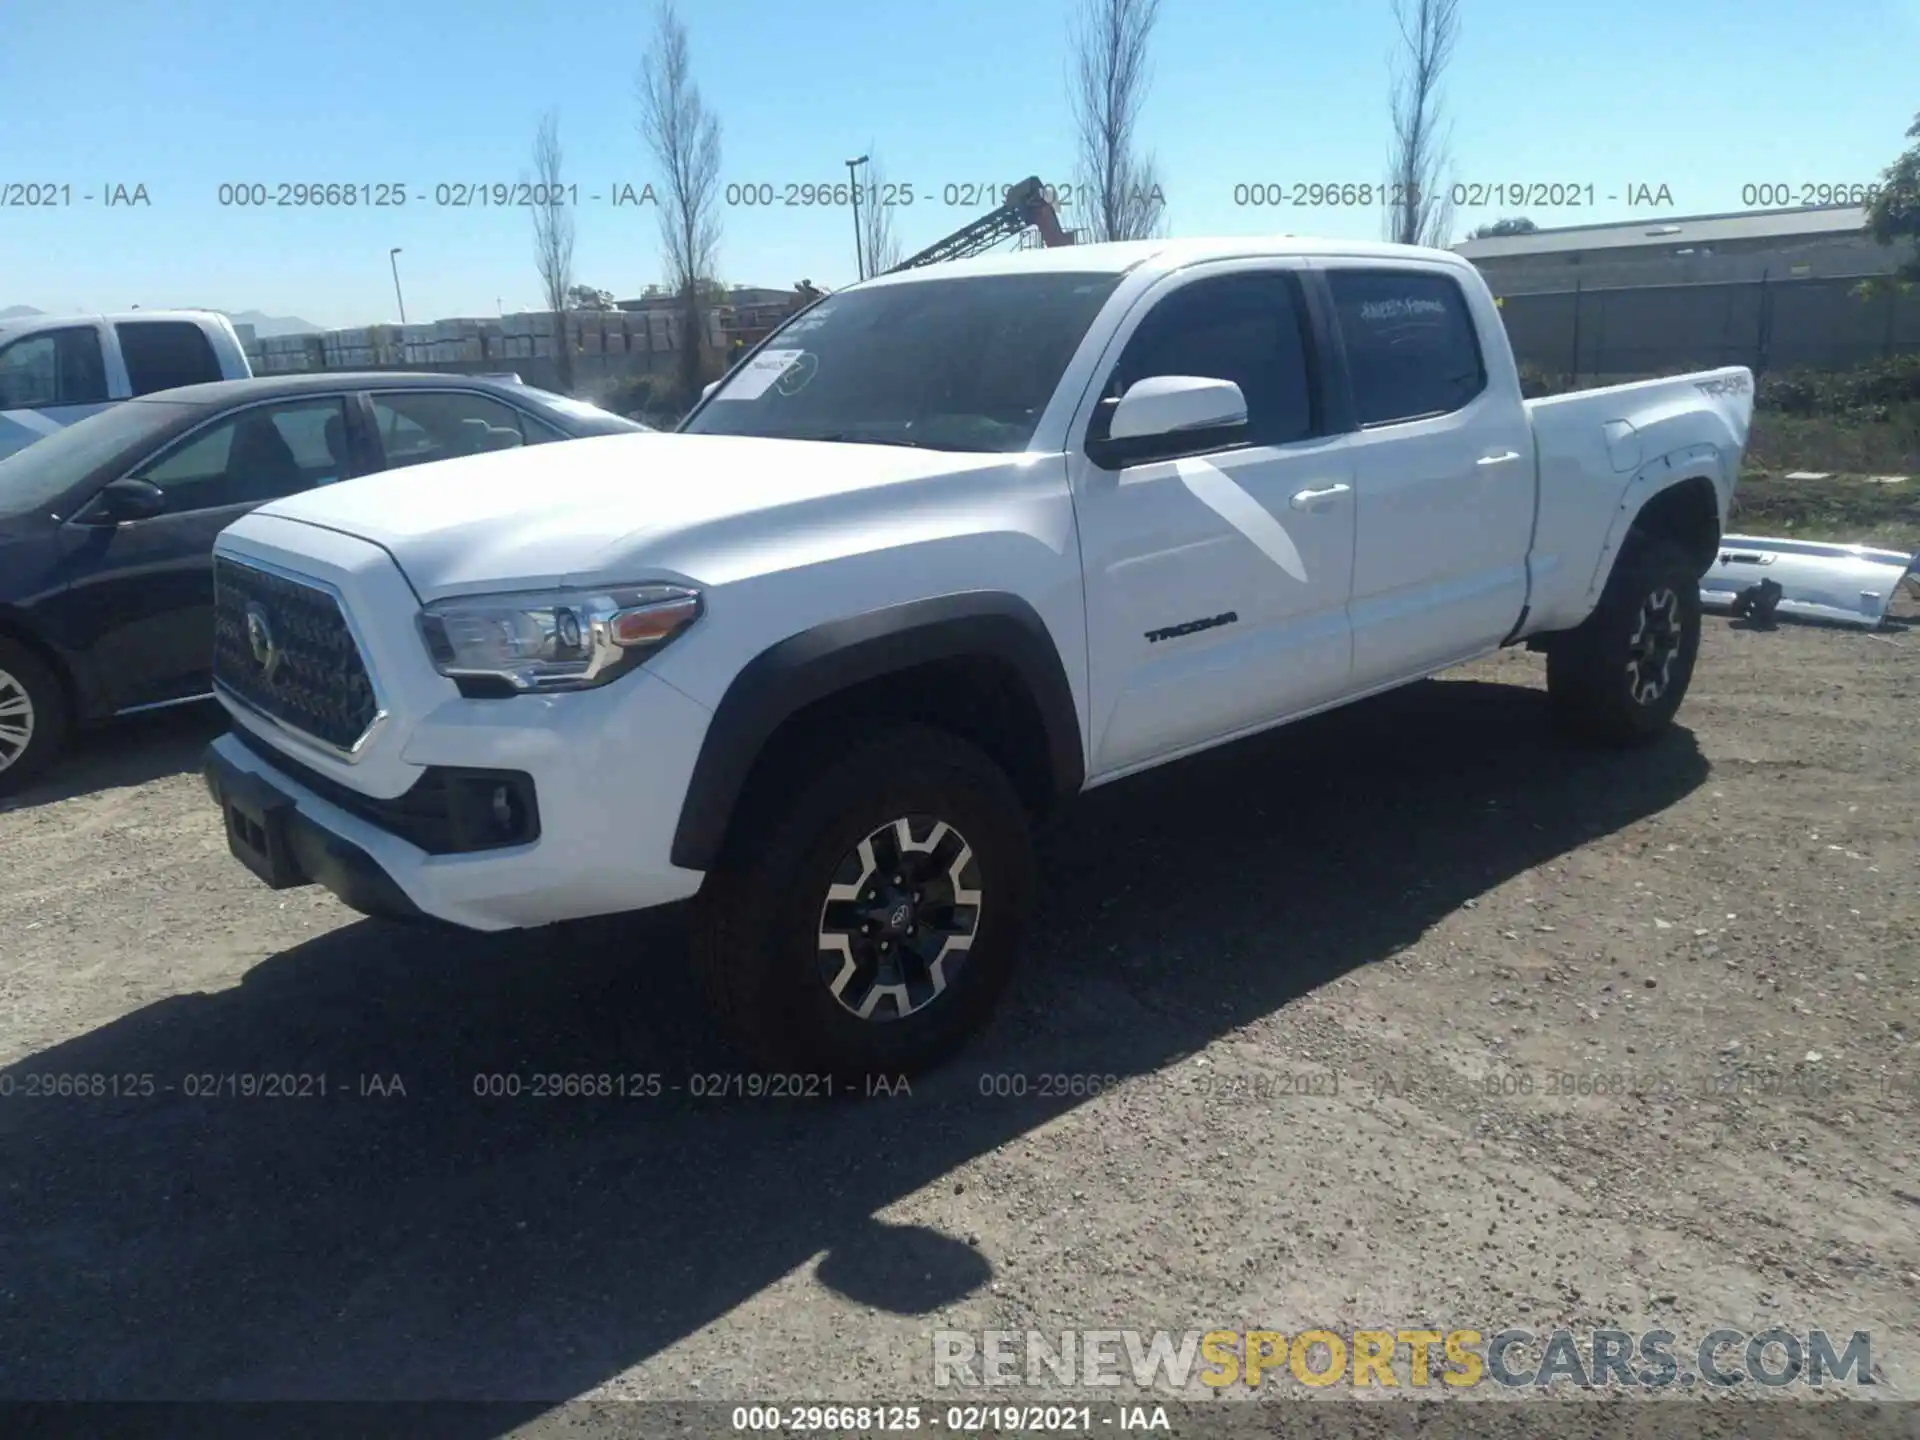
588,512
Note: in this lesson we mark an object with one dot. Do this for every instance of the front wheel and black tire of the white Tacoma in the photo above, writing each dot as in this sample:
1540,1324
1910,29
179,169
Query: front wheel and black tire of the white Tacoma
777,924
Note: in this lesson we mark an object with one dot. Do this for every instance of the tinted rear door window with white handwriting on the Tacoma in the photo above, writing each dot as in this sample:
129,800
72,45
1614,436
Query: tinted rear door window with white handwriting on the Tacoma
1412,348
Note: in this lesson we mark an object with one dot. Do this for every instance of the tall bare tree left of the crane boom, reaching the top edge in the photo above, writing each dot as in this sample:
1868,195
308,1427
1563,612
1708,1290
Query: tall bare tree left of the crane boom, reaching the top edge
684,139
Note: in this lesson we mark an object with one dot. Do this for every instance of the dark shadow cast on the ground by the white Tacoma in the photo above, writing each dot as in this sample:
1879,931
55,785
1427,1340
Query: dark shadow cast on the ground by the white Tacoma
450,1245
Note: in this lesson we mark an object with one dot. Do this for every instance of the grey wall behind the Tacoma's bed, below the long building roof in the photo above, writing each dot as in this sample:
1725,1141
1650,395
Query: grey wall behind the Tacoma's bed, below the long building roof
1777,325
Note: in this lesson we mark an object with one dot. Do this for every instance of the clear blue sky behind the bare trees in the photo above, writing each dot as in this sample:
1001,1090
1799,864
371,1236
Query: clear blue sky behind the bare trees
187,95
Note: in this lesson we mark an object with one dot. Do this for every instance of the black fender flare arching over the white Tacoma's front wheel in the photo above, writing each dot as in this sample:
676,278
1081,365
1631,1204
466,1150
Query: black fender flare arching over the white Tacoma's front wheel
830,658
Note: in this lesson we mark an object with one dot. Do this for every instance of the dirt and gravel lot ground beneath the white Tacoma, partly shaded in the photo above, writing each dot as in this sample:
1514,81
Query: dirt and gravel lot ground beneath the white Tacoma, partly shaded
1353,982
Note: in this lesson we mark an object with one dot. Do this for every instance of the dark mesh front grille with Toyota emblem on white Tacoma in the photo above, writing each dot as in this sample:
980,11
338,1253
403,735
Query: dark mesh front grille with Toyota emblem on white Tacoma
285,648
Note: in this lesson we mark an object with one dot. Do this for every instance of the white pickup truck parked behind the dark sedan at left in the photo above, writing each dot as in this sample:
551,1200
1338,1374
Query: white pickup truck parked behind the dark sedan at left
62,370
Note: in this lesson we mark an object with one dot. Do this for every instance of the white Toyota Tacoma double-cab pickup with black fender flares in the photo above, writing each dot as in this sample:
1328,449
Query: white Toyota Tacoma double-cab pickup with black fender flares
944,552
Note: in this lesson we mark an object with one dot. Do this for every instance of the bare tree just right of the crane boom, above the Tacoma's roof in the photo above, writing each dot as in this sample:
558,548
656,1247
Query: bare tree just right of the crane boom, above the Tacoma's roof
1107,91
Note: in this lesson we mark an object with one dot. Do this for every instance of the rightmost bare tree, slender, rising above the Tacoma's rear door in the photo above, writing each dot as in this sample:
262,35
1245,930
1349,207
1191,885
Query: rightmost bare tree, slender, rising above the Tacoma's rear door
1420,206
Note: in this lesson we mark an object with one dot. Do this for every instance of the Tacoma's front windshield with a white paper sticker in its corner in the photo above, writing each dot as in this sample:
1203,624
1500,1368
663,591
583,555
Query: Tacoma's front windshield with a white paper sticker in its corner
944,364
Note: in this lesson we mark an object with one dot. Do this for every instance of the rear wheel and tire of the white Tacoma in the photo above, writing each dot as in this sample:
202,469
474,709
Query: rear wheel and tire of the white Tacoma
1620,677
